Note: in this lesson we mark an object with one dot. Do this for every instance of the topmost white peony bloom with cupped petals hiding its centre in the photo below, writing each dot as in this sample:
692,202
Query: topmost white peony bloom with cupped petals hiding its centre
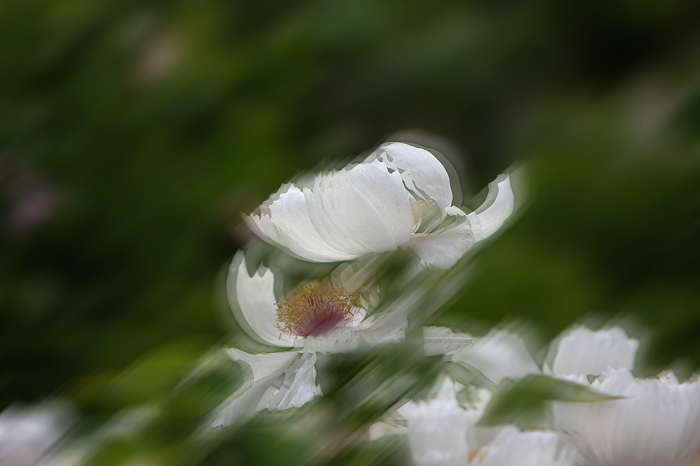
398,197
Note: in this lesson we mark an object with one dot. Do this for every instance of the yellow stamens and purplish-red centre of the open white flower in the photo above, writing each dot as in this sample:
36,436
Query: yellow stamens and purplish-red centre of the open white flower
313,309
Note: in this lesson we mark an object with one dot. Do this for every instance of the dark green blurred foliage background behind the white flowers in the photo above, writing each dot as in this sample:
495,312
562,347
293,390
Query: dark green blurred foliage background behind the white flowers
133,133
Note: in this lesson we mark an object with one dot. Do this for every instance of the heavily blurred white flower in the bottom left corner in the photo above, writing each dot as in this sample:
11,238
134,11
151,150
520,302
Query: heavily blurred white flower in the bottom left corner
26,433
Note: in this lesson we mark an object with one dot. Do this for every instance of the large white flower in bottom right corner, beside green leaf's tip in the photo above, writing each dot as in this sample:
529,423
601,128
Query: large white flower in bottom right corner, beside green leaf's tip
656,422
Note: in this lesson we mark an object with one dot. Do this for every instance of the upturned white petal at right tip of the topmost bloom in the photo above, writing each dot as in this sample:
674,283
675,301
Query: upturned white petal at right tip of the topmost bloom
488,218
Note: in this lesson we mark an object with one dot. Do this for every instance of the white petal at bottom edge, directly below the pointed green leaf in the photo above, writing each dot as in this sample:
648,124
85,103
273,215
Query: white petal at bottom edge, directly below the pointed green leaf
511,447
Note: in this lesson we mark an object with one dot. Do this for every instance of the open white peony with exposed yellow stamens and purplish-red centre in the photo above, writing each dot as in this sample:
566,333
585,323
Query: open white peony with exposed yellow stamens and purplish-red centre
312,319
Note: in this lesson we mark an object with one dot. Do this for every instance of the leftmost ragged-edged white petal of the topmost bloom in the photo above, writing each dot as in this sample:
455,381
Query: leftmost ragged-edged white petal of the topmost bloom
285,222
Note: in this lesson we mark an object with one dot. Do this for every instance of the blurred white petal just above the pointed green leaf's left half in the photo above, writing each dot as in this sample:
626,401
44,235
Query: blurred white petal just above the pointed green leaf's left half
499,355
